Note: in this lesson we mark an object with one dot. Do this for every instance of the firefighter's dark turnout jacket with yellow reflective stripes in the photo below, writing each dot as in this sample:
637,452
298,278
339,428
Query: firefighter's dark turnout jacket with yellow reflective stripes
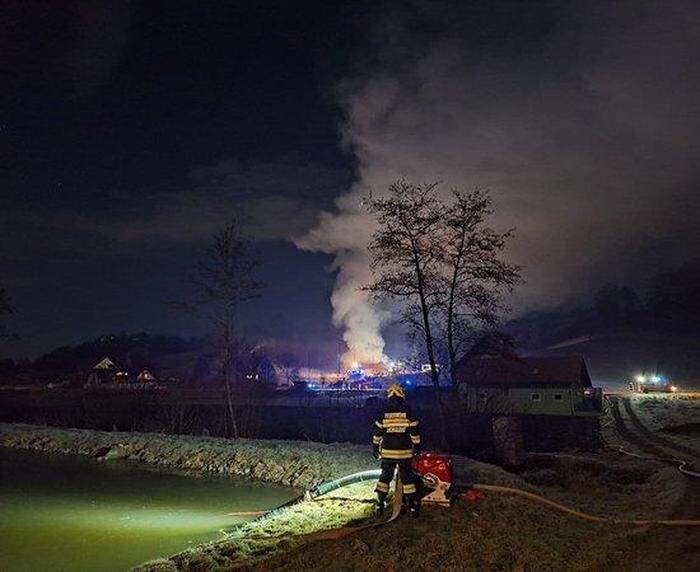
396,431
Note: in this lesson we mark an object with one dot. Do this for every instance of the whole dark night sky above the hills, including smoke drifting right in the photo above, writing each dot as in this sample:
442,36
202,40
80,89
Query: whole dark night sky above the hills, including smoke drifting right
130,132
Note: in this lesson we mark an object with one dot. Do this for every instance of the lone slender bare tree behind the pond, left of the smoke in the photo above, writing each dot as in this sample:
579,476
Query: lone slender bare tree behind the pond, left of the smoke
221,281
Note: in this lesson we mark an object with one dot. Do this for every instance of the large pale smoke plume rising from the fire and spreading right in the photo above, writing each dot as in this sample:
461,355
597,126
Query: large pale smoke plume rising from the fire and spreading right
586,133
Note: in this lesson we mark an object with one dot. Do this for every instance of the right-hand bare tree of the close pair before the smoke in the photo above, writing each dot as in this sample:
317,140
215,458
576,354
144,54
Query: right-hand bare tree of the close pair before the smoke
477,276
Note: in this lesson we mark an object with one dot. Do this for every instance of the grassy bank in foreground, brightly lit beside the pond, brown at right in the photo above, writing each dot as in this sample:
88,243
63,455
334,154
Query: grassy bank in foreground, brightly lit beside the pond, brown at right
499,532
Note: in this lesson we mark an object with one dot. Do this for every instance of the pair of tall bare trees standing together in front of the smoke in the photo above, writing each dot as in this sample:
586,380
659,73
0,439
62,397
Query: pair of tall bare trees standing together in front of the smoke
443,265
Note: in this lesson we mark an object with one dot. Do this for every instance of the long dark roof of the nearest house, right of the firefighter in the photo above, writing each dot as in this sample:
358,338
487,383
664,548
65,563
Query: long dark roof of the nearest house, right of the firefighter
524,371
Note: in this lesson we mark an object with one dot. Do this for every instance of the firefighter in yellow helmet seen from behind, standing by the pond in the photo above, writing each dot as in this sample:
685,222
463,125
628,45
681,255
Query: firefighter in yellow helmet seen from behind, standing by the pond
396,439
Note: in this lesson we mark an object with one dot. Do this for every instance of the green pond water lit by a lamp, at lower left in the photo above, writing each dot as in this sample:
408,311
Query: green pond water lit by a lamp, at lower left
68,513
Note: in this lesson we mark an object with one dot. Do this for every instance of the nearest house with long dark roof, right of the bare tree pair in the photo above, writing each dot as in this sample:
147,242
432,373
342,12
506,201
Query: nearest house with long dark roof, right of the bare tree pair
530,385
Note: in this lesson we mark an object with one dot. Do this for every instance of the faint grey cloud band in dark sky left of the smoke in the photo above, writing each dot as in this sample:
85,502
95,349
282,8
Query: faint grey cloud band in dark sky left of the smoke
275,201
